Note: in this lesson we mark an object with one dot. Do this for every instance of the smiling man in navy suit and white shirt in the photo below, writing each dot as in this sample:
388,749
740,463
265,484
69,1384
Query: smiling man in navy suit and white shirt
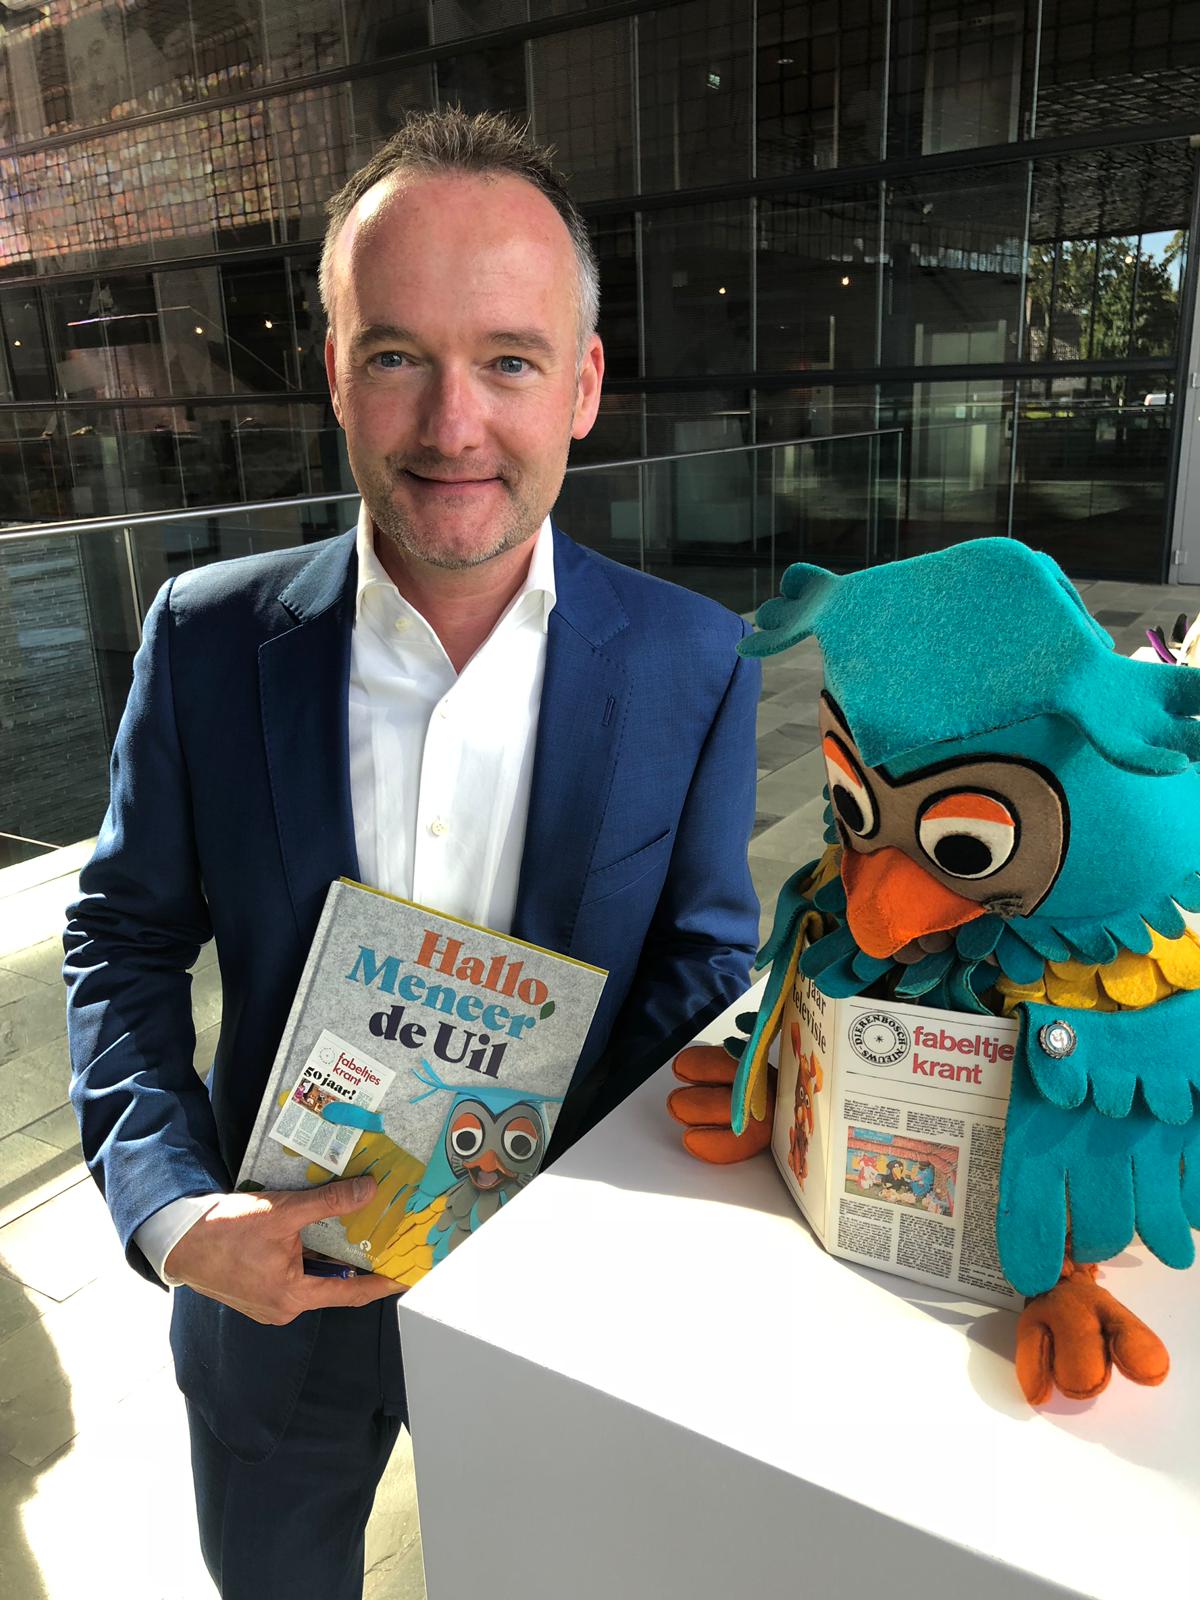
454,703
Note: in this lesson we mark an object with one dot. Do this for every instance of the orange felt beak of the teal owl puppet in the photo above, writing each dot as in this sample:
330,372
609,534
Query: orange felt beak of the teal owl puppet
892,902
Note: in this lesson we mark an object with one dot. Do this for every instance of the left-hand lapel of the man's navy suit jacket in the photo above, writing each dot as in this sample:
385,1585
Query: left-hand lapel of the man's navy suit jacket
305,676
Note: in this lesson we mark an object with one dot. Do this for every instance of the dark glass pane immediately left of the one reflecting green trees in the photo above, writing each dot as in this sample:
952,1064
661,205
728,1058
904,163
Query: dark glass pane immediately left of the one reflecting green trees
956,247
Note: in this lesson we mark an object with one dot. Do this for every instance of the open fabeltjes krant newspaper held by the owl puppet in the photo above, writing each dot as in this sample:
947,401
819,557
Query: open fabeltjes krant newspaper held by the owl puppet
889,1132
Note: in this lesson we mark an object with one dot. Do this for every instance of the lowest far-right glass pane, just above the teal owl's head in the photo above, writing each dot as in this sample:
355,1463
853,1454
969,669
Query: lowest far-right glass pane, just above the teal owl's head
1092,471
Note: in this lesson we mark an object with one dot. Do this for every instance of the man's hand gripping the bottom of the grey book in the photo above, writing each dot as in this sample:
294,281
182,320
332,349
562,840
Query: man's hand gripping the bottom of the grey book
247,1254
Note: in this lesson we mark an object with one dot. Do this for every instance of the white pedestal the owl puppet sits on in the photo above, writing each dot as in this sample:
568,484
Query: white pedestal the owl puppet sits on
646,1380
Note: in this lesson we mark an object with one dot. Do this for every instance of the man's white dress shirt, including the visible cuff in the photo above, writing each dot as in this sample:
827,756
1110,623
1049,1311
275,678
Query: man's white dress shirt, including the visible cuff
441,769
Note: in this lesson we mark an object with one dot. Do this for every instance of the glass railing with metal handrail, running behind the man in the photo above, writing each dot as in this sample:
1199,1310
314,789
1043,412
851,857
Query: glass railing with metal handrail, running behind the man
73,596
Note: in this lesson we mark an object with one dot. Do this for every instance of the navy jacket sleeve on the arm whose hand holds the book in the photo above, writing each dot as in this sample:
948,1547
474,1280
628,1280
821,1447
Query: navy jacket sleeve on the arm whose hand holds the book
137,929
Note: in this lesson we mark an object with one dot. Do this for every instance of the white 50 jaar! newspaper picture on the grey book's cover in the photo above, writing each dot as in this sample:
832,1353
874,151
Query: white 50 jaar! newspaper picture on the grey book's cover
313,1121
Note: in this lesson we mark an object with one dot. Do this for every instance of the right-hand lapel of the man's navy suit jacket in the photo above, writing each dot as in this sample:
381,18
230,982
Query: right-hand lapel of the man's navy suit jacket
583,708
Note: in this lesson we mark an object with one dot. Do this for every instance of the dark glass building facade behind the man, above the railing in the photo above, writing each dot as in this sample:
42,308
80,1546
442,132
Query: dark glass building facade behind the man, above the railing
812,217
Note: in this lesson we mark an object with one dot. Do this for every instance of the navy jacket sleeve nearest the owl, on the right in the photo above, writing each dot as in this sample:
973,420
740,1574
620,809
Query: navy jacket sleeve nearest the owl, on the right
702,942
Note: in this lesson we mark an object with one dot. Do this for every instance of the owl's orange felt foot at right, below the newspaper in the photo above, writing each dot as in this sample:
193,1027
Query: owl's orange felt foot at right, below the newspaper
1071,1337
